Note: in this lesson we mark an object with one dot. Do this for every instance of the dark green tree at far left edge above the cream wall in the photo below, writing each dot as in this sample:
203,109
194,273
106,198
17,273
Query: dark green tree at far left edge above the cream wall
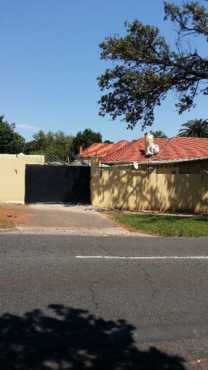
10,141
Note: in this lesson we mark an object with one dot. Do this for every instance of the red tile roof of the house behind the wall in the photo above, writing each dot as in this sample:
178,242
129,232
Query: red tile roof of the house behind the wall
173,149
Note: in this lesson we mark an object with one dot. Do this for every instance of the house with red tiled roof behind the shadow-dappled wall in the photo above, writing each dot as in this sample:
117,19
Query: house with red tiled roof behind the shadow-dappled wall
175,155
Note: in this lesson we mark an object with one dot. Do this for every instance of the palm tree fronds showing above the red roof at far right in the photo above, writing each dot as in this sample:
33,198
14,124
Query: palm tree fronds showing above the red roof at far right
194,128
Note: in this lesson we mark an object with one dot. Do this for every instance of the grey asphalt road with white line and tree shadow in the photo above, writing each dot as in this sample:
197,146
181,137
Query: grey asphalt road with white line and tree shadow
112,303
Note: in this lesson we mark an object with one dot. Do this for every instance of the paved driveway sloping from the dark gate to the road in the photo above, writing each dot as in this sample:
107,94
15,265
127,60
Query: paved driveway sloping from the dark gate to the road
58,218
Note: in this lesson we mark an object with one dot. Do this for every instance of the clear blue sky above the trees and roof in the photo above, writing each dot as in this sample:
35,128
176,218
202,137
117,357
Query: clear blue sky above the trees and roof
50,61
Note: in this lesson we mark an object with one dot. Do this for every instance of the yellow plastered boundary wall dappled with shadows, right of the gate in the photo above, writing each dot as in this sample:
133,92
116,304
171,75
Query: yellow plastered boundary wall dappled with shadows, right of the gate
134,190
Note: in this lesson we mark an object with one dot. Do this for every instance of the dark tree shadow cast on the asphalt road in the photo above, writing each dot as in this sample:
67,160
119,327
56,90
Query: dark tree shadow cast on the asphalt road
67,338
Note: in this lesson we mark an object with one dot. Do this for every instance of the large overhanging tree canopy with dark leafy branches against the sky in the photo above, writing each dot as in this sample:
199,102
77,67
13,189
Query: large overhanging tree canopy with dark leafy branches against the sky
146,68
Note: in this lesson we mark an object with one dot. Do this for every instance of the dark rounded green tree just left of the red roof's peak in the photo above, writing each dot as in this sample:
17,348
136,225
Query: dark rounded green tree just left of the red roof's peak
85,139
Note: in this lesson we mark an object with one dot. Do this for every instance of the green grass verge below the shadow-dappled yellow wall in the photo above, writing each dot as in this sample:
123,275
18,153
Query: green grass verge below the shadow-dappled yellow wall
163,225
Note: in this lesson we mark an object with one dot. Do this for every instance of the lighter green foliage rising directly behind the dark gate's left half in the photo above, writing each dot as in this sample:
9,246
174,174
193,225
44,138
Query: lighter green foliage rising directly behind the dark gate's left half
52,145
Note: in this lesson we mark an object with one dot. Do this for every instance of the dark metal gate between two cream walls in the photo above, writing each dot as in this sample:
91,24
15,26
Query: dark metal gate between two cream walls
55,184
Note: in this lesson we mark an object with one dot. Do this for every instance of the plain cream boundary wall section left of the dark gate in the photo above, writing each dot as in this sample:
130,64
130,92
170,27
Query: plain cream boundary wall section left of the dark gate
12,176
